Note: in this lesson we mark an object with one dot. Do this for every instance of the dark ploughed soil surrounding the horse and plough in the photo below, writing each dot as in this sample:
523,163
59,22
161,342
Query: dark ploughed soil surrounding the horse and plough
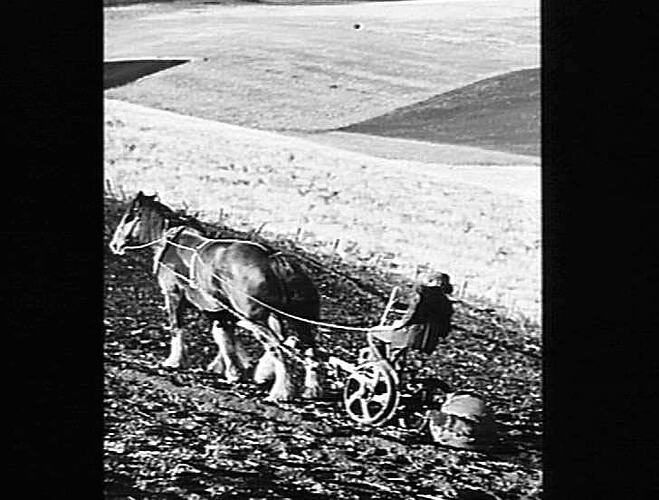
187,434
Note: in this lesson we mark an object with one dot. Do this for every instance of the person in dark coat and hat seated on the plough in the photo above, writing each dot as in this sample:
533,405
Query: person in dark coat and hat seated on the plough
426,320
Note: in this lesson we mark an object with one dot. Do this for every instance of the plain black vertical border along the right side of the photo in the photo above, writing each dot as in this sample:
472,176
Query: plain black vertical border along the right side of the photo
598,205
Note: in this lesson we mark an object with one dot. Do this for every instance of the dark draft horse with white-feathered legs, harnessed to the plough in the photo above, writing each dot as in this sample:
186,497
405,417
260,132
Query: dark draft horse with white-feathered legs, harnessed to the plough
221,276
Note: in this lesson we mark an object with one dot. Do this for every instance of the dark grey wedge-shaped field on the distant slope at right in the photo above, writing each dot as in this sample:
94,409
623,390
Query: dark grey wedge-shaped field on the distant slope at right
500,113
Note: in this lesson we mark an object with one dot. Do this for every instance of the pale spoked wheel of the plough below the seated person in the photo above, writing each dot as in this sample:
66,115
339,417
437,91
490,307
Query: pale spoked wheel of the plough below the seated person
371,393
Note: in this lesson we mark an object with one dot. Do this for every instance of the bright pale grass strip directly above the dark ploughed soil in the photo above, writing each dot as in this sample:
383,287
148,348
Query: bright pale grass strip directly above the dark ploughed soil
396,213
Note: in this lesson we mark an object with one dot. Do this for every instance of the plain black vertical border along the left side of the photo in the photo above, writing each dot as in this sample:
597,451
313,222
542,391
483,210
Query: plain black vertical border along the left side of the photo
52,280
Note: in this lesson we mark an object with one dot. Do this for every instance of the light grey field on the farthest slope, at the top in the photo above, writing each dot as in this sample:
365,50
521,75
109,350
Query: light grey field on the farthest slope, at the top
301,68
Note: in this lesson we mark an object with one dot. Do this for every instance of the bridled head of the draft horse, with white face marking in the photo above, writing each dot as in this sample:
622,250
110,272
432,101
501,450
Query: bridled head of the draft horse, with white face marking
144,221
